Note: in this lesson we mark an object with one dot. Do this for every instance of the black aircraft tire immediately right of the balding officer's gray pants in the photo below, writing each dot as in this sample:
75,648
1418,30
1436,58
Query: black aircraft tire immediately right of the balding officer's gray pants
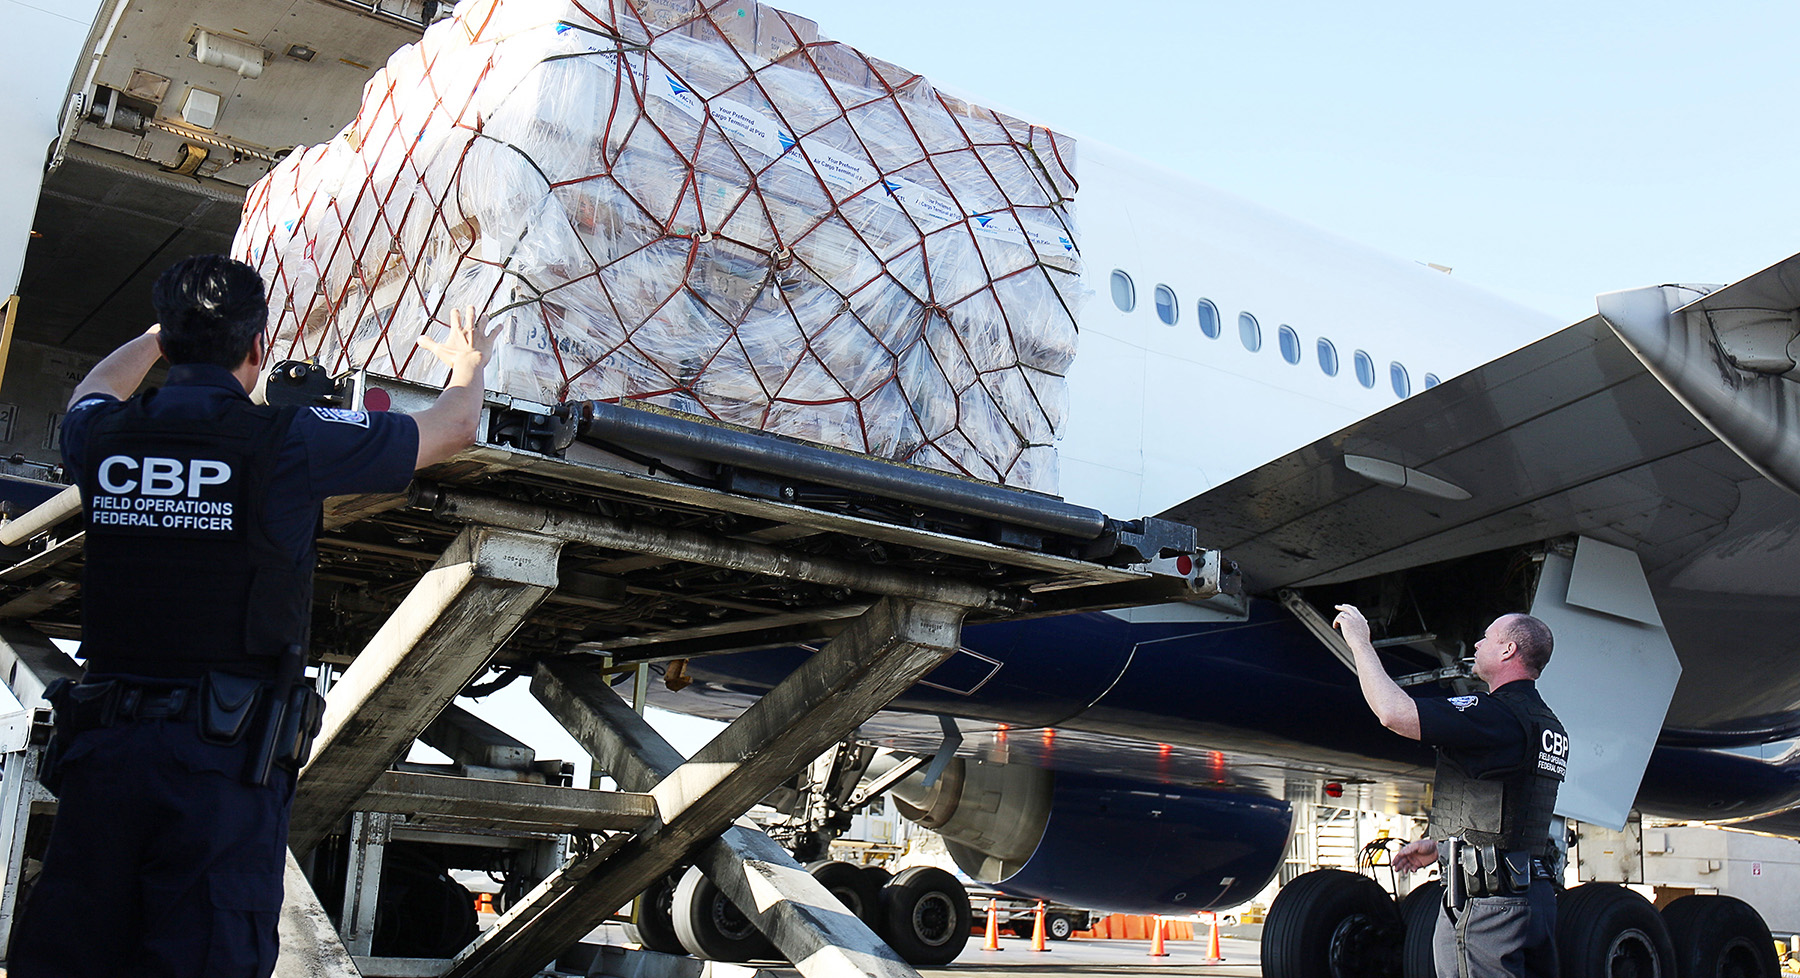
1606,930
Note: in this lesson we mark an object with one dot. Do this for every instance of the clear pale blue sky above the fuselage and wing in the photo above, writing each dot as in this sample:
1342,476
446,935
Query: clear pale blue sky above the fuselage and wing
1547,152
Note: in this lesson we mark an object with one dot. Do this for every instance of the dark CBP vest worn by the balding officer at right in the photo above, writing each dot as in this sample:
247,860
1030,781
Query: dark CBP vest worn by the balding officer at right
1509,808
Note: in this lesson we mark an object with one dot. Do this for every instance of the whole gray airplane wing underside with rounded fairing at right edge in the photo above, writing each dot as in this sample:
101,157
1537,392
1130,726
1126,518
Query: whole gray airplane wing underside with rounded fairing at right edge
1675,446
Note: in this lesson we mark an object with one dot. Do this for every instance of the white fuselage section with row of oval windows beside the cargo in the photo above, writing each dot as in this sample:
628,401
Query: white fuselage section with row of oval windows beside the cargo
1162,413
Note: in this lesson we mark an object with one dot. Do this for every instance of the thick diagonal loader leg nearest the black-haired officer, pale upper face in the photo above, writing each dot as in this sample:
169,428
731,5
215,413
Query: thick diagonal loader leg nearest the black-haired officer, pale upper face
436,642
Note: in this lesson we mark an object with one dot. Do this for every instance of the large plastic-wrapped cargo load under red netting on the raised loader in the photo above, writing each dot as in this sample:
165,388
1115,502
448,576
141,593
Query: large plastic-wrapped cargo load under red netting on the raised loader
701,208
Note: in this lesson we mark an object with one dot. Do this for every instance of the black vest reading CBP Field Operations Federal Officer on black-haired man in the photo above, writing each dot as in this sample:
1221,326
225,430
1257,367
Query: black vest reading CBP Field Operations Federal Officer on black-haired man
181,574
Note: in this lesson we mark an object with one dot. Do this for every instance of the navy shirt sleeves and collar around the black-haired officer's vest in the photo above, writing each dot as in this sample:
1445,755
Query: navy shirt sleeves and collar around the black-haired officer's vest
328,451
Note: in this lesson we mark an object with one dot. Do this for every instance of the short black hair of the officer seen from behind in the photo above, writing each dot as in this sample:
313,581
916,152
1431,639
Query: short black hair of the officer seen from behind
211,309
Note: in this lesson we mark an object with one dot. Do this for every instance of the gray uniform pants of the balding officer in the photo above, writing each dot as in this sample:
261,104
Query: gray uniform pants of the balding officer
1500,937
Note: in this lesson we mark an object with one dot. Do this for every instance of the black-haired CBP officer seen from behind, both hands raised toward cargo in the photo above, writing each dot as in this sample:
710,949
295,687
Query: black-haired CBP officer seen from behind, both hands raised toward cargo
202,512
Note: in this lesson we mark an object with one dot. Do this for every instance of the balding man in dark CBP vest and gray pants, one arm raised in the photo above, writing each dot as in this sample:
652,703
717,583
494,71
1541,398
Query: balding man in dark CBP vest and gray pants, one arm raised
1502,757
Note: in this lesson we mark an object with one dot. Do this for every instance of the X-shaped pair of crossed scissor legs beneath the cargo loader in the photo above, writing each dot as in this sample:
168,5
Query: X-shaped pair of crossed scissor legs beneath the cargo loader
877,658
